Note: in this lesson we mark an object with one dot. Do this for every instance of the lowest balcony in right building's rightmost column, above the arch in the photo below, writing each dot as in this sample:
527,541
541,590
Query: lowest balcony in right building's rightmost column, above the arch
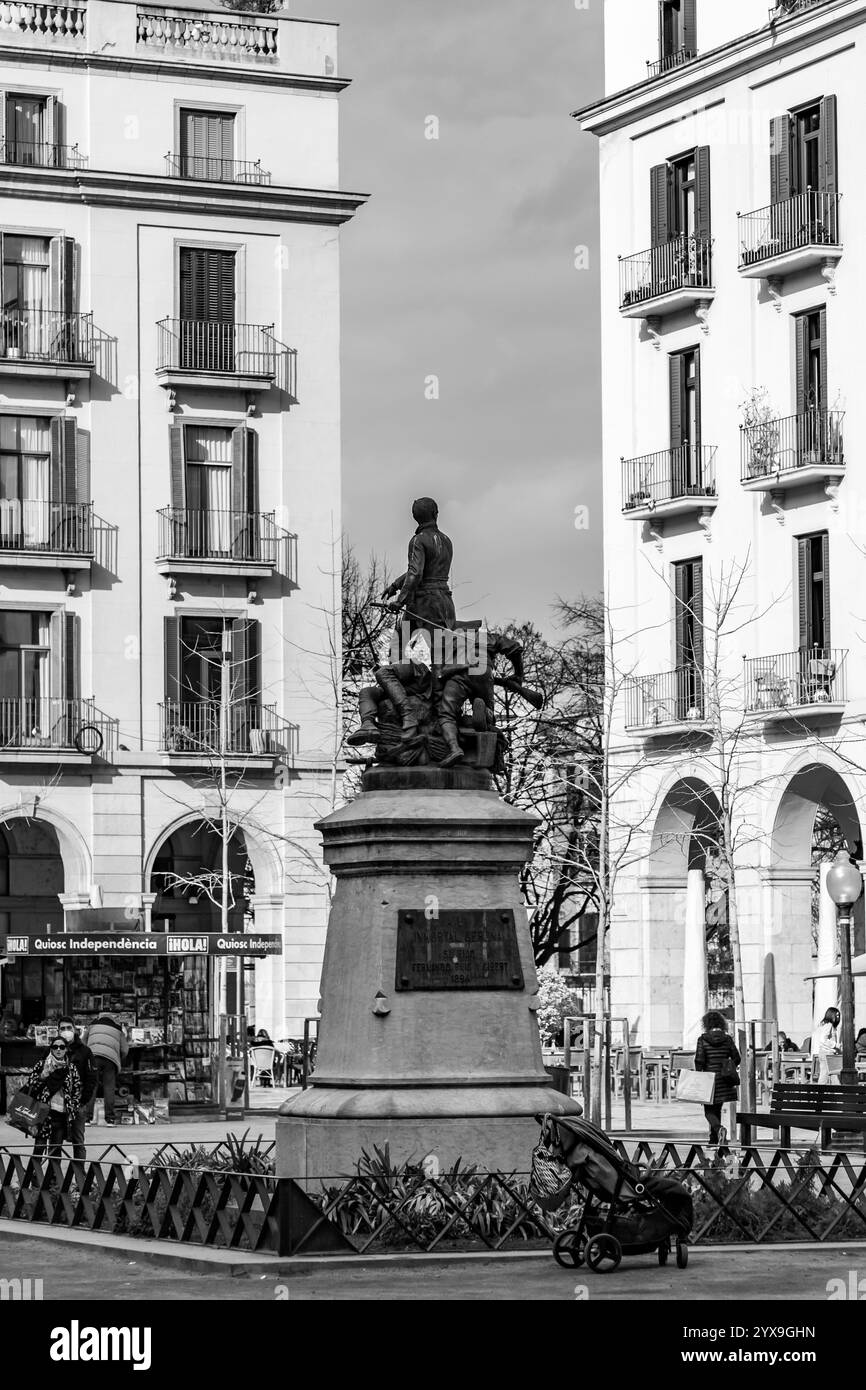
806,685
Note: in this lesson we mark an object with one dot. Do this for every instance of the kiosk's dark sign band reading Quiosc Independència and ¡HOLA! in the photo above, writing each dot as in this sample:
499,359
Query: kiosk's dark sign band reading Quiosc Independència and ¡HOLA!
70,945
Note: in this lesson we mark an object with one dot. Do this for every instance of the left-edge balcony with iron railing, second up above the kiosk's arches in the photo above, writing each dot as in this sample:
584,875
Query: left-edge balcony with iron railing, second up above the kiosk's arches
47,534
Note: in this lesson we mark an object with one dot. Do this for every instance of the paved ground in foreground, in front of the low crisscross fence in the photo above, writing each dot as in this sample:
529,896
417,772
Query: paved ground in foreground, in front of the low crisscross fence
801,1274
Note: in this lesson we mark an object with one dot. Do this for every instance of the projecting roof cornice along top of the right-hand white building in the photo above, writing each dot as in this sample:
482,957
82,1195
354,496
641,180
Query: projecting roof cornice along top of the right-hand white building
721,66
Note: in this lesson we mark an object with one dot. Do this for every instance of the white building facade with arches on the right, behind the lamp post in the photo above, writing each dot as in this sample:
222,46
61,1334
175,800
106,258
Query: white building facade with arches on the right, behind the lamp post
733,201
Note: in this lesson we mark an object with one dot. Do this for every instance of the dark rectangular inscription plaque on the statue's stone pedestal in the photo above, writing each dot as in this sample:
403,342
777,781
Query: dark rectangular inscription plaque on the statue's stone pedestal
458,950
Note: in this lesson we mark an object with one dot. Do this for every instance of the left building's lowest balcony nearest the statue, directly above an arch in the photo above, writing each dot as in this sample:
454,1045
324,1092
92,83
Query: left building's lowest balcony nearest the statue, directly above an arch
211,730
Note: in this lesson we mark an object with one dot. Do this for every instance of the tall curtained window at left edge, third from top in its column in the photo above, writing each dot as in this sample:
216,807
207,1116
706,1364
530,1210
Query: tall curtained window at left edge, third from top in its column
26,459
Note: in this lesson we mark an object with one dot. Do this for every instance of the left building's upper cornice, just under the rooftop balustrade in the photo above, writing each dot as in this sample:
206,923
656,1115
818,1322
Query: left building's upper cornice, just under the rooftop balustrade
73,58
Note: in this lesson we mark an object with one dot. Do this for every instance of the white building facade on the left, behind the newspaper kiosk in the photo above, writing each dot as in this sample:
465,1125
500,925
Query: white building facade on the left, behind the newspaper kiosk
170,472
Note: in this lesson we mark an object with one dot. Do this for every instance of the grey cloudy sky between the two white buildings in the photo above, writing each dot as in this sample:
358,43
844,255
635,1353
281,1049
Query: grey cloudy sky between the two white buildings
462,268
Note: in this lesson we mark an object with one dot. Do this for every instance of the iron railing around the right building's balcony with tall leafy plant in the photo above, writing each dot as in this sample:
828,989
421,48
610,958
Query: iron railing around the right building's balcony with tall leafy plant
810,440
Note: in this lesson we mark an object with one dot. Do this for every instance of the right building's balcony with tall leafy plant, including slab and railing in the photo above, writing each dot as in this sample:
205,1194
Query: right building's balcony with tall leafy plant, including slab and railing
793,451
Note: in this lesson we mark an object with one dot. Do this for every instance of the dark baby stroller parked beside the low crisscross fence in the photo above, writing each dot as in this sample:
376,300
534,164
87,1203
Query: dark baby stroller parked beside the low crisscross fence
625,1211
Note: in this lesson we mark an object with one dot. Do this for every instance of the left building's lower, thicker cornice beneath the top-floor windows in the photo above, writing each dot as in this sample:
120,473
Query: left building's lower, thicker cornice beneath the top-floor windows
104,188
